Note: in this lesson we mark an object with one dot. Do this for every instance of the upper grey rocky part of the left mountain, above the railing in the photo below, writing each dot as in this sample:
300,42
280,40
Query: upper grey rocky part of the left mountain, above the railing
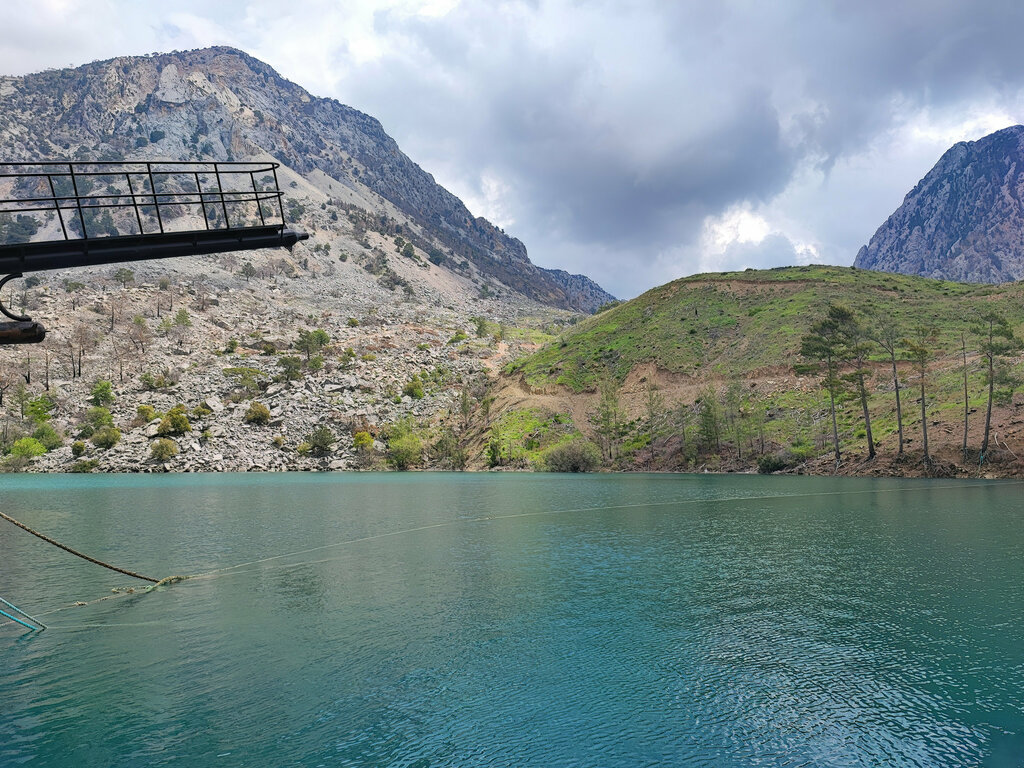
221,104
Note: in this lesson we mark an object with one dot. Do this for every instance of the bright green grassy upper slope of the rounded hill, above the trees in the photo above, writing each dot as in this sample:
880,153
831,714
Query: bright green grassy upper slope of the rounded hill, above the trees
735,324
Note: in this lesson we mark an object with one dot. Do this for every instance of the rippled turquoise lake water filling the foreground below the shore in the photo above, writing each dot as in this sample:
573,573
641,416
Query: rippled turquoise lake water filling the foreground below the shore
483,620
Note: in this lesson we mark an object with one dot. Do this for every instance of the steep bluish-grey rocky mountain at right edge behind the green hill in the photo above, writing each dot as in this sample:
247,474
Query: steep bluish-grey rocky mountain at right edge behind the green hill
964,222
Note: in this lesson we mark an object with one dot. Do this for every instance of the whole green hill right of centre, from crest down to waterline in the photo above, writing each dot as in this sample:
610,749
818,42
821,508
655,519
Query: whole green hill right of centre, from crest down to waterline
736,338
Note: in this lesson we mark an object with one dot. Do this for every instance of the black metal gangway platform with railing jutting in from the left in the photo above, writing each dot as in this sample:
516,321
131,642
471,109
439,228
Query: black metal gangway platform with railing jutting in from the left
56,216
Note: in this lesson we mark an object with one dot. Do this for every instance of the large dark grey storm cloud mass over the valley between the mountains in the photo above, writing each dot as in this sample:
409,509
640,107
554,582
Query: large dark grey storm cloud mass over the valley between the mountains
624,125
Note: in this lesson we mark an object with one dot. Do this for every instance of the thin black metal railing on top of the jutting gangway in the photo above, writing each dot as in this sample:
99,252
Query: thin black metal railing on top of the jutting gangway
147,198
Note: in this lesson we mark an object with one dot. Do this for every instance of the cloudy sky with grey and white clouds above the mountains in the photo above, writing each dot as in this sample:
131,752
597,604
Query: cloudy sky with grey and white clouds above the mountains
632,141
